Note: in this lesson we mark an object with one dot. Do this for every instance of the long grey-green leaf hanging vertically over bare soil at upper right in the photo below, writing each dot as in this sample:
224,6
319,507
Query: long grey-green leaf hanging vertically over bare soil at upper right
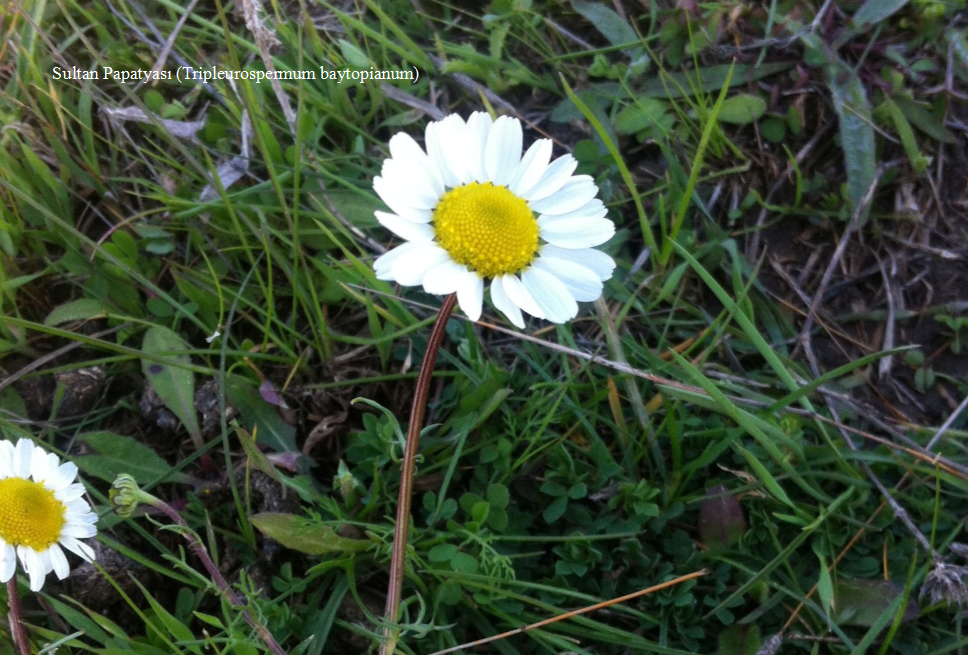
856,132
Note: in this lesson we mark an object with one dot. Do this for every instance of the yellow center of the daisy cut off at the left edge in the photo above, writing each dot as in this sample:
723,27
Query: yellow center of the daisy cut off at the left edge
30,515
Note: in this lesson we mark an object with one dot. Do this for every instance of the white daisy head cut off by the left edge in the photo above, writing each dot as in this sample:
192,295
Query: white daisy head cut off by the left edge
41,510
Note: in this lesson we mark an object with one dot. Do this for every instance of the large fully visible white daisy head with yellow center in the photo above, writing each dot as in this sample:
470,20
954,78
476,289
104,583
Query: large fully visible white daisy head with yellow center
471,209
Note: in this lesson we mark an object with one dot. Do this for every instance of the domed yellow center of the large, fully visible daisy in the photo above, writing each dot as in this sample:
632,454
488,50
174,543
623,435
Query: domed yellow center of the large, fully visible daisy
486,228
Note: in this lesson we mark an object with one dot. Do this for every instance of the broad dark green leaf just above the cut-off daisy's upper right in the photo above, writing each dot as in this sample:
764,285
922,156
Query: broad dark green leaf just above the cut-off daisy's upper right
118,454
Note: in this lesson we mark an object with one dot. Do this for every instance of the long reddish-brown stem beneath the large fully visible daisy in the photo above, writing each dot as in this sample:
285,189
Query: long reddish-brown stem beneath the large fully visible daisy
398,557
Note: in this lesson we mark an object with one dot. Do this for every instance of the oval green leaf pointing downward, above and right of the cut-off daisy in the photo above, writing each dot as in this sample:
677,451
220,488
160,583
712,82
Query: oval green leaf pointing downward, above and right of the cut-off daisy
173,383
